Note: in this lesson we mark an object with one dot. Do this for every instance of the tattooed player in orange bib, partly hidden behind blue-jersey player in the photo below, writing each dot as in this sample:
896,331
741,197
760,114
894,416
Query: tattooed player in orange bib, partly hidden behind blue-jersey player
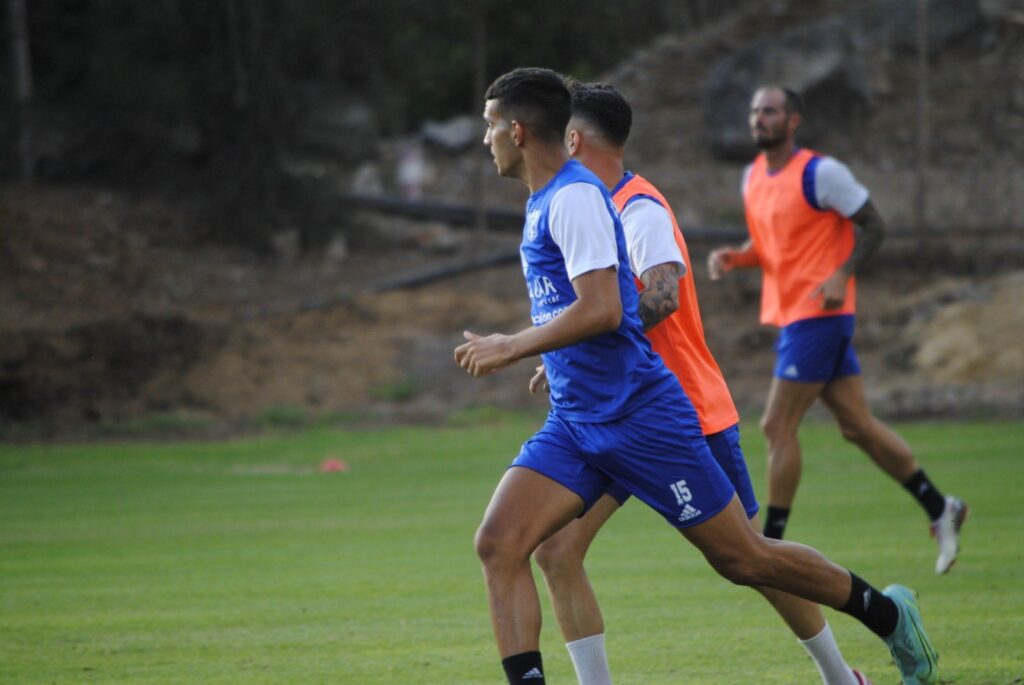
596,136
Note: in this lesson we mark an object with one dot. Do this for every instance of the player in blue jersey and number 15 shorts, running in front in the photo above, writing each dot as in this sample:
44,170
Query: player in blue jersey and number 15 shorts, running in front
618,414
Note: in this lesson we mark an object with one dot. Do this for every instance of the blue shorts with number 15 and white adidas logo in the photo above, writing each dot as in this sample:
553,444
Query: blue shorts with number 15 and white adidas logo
658,454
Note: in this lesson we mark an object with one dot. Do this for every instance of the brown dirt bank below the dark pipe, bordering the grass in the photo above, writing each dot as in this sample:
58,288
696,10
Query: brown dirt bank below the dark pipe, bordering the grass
106,319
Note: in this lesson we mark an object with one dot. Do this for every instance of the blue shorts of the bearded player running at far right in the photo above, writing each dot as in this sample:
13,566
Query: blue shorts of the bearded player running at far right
817,351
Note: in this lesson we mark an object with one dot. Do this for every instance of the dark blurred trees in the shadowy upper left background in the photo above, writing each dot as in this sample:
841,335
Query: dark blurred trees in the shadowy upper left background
201,99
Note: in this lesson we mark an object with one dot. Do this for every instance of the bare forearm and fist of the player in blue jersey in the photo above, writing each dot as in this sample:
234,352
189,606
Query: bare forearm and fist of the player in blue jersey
598,310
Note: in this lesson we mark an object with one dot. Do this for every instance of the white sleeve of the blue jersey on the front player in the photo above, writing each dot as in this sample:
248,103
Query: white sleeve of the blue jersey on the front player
582,227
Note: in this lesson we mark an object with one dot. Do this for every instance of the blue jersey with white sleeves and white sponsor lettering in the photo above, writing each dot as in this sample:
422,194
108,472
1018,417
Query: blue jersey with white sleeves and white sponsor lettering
573,228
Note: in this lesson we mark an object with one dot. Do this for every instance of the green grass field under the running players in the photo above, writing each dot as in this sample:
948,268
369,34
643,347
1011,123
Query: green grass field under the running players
241,563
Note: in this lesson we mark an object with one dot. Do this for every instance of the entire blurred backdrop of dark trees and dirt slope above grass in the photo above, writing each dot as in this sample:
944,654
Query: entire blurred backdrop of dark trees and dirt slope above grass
217,235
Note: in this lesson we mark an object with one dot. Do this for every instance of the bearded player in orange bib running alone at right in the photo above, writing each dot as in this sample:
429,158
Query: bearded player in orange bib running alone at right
813,227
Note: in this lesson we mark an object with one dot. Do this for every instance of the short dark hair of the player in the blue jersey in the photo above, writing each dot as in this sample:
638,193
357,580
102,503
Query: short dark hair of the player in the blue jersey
535,97
